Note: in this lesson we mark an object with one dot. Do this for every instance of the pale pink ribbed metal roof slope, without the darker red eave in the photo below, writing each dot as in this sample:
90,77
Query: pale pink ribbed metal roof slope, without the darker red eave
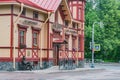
47,4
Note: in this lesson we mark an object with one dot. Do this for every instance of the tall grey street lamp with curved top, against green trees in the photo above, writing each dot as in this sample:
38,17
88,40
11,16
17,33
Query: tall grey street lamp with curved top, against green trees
100,23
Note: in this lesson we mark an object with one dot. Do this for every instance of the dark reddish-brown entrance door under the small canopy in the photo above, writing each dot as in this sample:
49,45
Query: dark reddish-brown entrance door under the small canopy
56,54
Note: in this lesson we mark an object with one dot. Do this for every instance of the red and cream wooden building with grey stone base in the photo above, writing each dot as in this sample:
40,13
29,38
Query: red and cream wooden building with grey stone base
45,31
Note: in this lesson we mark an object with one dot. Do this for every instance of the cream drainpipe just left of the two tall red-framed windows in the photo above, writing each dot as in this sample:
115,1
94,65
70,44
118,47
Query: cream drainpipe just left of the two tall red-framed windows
14,34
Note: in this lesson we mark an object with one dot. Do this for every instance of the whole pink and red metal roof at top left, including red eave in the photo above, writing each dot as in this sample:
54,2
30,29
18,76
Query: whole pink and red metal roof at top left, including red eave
46,5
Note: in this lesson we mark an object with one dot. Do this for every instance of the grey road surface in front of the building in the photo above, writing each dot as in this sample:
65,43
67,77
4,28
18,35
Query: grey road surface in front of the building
110,72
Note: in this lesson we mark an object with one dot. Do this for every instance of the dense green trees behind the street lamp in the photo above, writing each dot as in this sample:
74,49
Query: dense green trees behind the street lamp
107,11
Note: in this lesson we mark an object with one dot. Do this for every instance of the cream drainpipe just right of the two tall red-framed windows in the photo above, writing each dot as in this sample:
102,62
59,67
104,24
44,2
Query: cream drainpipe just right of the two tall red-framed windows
49,13
